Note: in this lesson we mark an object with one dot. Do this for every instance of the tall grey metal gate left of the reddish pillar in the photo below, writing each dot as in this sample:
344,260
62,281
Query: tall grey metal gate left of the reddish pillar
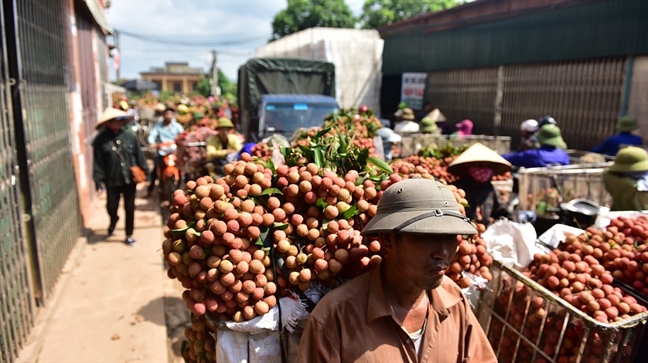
41,28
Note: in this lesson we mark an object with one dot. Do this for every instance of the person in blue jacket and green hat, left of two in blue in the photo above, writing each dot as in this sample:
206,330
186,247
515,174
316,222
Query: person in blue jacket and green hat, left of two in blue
551,152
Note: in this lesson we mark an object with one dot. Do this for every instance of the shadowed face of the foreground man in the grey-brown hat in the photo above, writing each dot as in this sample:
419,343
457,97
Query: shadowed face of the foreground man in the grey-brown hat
420,259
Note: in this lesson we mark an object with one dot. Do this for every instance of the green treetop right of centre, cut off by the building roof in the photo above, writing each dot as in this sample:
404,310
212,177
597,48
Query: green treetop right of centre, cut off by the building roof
376,13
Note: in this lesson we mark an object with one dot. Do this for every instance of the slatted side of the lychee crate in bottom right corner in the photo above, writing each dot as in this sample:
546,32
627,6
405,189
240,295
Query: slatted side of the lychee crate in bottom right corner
525,322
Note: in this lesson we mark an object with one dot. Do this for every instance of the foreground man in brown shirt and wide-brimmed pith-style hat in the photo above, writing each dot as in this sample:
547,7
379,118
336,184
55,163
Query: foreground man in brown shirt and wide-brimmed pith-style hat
406,309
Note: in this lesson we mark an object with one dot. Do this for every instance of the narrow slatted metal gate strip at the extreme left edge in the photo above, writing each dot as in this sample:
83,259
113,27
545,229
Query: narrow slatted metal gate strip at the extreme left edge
16,296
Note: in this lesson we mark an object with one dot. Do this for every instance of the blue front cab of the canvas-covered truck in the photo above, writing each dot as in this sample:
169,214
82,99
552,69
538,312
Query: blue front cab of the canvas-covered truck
286,113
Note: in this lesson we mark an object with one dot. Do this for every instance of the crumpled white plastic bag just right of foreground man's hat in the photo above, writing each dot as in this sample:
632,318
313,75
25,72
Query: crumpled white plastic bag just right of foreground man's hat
511,243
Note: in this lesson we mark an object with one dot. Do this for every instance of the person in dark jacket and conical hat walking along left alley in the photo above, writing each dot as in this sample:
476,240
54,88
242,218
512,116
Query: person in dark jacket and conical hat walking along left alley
113,173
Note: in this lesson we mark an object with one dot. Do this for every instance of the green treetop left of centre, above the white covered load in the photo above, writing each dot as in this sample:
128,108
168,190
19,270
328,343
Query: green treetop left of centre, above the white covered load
304,14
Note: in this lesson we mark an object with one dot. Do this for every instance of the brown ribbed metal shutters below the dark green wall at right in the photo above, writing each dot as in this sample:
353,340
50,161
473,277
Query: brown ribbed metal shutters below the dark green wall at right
584,96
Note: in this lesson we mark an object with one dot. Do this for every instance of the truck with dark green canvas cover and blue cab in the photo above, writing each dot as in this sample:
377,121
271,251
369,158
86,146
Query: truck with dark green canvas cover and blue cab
282,95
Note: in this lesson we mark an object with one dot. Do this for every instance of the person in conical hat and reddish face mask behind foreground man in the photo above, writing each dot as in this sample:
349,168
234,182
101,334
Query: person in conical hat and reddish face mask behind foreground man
476,167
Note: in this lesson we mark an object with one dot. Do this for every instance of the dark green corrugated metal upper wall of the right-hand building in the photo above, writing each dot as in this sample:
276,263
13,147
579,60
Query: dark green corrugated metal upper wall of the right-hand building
591,30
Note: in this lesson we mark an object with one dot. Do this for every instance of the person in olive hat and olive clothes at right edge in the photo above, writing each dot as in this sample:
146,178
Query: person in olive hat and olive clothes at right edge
627,180
